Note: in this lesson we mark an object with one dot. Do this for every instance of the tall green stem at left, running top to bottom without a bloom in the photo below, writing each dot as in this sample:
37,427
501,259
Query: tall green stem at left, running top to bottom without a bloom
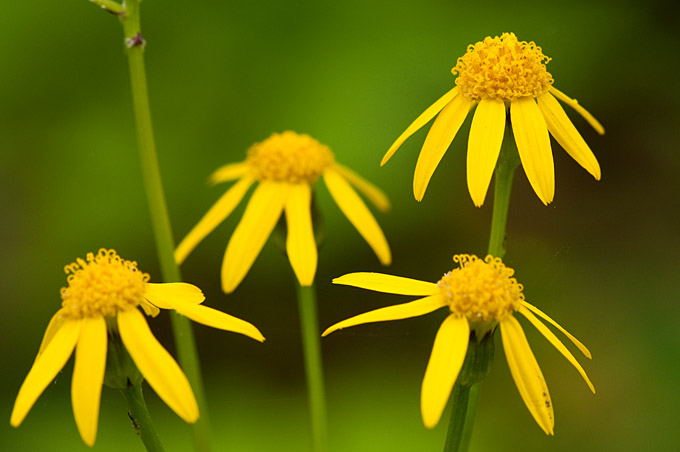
184,338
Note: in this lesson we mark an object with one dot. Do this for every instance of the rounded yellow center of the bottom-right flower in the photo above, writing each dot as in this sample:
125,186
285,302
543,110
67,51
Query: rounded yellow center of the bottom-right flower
482,290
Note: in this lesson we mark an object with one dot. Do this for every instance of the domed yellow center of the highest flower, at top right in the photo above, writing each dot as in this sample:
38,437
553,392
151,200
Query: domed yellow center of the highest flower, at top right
503,69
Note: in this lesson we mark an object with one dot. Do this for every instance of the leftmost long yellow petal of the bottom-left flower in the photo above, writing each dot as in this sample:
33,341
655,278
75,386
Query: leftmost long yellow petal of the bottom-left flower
45,368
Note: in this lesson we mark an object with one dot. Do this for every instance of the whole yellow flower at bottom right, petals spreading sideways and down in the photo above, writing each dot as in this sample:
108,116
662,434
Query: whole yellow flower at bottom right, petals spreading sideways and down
480,295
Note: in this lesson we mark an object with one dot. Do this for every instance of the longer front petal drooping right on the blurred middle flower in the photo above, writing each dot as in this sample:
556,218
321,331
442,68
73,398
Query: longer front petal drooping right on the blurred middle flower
358,214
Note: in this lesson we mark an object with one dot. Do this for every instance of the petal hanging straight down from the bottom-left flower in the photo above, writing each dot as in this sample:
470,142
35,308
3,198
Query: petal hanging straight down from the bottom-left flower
88,377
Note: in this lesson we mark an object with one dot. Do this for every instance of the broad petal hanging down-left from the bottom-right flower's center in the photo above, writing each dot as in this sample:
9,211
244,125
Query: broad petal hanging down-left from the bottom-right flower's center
446,360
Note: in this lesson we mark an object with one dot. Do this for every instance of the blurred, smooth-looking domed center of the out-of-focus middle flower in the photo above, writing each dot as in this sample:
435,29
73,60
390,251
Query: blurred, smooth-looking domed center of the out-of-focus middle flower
289,157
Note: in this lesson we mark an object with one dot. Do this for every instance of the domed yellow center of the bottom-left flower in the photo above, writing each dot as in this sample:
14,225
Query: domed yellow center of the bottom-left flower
102,285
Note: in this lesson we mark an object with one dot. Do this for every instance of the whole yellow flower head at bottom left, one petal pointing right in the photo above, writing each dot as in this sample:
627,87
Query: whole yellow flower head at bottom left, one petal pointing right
101,301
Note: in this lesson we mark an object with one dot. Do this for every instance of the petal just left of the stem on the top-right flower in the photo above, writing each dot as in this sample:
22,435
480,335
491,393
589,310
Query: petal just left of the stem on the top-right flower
484,146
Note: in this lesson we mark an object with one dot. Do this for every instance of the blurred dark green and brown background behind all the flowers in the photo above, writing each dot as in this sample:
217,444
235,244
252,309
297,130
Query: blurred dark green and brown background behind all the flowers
602,259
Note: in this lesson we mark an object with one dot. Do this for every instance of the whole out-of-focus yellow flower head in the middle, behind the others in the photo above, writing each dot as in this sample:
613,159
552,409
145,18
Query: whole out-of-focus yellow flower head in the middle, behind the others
286,166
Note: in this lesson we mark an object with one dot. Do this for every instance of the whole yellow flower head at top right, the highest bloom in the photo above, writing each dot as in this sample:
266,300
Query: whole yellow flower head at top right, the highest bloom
497,75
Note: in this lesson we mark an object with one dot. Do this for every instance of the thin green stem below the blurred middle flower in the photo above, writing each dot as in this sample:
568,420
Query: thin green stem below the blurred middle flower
313,366
